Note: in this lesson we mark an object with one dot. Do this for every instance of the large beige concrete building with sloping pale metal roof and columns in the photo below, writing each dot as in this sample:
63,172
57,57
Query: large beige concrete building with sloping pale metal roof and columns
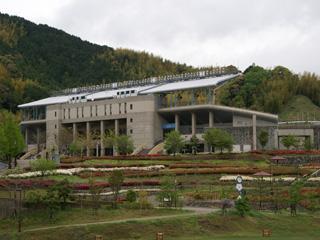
146,110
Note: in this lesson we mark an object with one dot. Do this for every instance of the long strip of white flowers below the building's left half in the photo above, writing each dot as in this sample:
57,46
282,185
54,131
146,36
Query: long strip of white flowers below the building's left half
74,171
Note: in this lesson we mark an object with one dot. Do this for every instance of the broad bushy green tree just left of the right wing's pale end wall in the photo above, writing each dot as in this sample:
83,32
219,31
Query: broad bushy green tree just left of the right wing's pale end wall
218,138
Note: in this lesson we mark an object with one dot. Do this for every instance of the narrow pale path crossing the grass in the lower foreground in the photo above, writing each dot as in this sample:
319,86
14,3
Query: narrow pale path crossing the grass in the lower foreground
195,211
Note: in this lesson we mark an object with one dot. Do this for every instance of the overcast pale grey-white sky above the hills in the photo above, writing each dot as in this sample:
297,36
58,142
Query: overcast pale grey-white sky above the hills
196,32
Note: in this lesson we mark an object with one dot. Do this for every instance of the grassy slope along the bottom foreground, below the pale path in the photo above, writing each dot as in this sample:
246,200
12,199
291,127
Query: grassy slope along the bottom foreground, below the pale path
197,228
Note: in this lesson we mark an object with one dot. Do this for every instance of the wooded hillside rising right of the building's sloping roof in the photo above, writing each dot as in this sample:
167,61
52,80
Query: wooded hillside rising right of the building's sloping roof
270,90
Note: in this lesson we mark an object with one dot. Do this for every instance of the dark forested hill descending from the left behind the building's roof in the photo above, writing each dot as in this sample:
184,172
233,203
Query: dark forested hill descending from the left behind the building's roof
35,59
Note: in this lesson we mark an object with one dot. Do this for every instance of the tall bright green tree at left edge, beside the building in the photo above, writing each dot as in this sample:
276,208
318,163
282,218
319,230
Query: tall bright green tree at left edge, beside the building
11,139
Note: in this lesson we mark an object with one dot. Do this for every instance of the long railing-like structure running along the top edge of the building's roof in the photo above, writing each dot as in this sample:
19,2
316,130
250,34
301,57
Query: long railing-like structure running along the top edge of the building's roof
150,81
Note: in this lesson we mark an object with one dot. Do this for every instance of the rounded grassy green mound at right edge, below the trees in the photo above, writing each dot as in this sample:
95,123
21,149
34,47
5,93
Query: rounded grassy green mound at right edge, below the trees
300,108
